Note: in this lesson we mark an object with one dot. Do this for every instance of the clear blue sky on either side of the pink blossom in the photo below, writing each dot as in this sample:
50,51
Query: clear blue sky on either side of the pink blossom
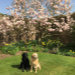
6,3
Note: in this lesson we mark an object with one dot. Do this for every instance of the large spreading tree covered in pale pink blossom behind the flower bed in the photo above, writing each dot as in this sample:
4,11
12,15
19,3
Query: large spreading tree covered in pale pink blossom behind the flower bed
37,16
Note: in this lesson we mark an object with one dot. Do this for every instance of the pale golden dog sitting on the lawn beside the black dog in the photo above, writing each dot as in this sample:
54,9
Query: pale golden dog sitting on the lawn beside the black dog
35,62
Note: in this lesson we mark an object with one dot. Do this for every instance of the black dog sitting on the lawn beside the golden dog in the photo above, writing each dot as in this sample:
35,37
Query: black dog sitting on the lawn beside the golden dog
25,63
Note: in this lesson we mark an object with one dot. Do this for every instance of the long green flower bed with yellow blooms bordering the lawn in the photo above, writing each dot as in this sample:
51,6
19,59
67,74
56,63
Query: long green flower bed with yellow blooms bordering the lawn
51,46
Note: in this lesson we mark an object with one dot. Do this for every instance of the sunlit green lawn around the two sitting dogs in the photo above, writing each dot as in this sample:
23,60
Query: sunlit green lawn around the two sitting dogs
51,65
